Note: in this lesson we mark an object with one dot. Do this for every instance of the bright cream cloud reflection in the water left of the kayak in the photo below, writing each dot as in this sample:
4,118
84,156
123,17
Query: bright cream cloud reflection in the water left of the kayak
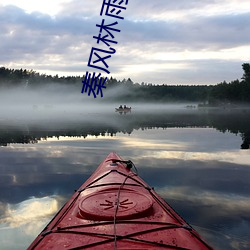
22,222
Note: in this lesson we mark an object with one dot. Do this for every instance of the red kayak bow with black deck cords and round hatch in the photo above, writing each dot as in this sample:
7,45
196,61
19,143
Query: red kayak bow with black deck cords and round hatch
116,209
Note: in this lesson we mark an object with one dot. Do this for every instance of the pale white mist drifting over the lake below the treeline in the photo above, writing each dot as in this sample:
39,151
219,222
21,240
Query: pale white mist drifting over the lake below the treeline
60,102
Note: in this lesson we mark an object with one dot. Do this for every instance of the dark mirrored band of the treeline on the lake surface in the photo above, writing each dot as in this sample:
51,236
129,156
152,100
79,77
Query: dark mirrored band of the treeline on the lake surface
222,120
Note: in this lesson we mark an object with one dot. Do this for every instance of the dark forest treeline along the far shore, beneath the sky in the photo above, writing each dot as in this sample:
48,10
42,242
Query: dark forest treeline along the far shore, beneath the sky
236,91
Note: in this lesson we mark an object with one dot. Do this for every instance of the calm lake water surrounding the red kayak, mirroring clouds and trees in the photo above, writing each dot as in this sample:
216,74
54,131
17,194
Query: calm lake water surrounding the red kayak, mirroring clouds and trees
197,160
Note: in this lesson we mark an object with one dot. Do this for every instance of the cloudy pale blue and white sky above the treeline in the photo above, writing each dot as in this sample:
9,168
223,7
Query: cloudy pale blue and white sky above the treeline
161,41
